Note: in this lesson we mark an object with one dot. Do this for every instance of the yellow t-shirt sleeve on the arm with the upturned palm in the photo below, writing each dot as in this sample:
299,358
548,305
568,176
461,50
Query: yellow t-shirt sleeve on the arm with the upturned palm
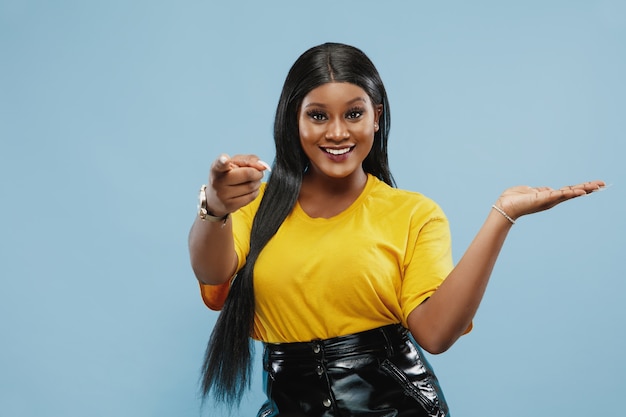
428,261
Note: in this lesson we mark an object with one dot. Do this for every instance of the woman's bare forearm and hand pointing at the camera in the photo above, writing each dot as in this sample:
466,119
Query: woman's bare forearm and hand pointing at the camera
233,183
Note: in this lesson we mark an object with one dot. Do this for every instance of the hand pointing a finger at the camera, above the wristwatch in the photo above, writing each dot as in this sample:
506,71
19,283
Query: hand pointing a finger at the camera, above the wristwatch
233,183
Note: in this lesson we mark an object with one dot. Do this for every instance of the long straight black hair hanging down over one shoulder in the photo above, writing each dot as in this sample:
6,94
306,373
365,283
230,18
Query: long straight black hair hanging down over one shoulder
227,363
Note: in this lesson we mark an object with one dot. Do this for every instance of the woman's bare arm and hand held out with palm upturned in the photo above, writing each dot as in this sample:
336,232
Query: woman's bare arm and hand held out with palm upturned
439,322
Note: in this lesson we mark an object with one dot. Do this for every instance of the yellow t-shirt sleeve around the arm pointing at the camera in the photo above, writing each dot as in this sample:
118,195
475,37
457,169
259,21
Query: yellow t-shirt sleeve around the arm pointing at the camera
214,296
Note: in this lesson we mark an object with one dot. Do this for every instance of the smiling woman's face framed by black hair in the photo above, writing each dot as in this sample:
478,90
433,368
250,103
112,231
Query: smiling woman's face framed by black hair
337,122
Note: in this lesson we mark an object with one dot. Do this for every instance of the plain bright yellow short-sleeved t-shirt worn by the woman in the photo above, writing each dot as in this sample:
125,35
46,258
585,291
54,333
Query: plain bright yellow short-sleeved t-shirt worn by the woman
369,266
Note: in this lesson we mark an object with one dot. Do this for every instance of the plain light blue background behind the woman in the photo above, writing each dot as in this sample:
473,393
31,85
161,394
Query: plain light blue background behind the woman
111,113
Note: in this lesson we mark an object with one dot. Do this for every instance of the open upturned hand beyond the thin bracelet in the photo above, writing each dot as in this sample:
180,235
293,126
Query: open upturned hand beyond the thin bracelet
521,200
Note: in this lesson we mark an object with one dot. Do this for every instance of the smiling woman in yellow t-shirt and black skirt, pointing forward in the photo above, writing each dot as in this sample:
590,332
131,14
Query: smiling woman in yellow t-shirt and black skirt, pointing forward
342,276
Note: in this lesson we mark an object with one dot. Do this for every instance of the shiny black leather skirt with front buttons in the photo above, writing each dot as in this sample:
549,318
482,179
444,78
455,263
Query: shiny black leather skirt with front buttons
379,372
